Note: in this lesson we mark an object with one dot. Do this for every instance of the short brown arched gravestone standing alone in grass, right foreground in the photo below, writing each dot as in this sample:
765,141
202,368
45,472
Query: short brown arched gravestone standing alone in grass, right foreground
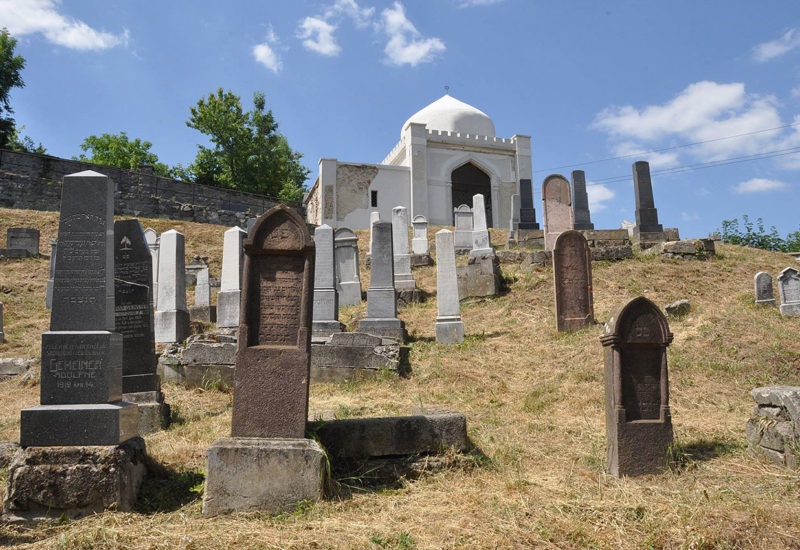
638,419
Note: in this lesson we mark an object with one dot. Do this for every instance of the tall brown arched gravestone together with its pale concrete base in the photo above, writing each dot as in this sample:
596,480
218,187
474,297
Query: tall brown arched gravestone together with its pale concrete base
270,399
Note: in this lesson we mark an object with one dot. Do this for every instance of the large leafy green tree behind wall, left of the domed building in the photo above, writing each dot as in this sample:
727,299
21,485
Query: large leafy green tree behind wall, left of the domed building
247,152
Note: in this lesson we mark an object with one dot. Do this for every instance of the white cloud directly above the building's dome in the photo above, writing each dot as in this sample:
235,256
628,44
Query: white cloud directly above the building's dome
406,46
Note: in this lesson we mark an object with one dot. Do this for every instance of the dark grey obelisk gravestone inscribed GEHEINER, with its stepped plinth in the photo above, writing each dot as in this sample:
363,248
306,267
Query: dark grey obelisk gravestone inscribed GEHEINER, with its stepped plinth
81,378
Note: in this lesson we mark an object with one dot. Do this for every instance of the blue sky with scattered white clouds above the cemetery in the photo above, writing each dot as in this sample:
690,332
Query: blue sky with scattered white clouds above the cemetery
587,80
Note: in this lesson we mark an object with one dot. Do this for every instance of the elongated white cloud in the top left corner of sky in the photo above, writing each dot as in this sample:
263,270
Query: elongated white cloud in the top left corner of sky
41,16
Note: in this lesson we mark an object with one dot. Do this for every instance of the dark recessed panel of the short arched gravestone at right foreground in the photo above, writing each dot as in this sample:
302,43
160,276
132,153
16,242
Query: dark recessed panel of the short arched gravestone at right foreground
641,383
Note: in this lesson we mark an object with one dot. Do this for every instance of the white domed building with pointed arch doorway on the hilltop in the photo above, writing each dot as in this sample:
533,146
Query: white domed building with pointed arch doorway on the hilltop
447,153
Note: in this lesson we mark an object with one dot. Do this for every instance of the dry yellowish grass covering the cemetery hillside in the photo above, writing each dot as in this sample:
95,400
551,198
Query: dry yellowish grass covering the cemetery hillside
534,403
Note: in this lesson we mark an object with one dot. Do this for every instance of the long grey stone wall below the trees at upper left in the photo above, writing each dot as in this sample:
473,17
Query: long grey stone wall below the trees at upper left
33,182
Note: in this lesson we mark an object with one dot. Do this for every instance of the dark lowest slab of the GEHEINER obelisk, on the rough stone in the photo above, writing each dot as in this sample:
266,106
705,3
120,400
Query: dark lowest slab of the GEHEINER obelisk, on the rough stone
91,424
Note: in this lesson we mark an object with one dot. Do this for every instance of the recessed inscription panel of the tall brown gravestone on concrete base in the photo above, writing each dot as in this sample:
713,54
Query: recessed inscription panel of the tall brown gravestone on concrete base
280,285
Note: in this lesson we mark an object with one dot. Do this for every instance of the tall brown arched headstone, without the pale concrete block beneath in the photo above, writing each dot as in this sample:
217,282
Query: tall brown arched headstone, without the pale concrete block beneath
270,396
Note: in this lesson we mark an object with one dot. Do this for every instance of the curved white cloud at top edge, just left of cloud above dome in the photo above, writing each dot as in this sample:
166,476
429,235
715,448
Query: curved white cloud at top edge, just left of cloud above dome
317,32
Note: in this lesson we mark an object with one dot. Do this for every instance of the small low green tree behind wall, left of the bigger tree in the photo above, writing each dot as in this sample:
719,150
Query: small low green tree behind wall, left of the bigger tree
118,150
